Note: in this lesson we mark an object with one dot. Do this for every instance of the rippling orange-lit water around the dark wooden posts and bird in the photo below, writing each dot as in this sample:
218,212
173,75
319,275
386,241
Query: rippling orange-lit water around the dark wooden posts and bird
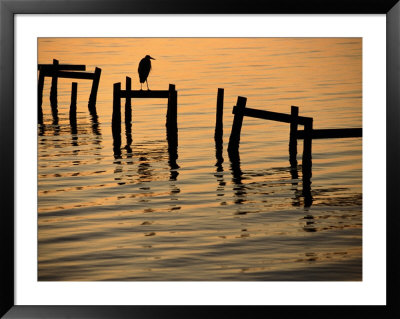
134,217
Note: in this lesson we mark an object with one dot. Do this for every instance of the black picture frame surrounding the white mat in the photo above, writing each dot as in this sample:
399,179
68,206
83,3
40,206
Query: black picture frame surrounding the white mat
8,10
